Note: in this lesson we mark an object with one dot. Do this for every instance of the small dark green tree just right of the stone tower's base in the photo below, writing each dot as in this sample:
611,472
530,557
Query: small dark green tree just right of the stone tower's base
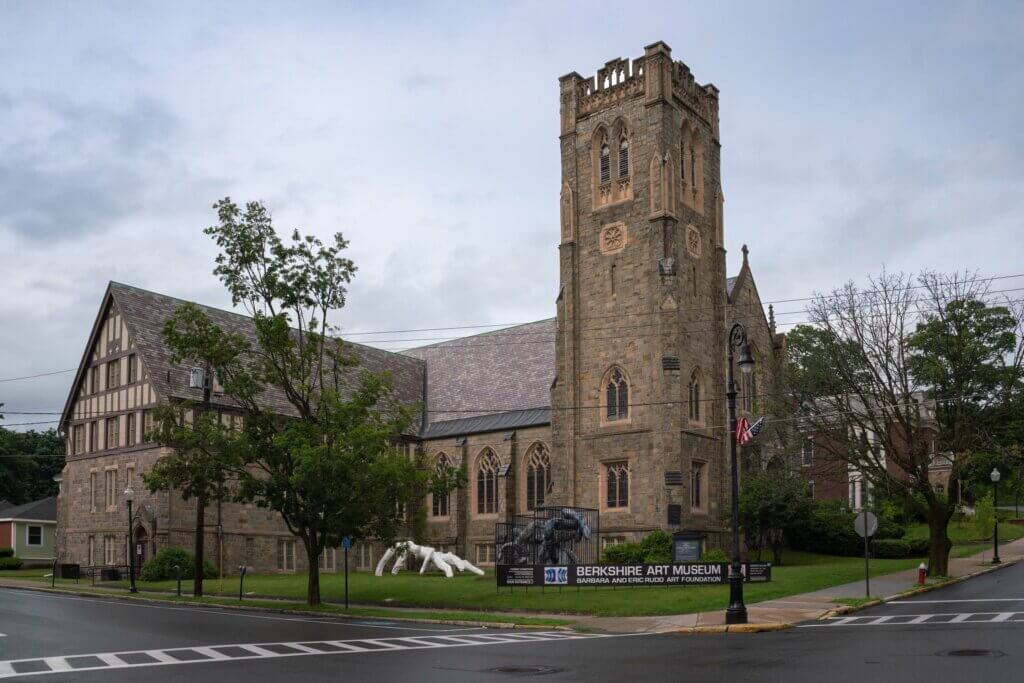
772,503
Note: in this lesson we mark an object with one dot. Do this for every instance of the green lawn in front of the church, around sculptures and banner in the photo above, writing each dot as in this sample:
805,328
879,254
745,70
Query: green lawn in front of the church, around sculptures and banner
803,573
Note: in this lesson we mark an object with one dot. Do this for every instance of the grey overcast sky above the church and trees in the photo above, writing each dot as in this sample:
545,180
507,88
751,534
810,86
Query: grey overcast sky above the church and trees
856,136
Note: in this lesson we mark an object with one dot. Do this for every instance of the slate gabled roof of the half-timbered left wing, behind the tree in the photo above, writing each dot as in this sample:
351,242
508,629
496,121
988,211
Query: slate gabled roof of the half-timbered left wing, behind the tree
146,313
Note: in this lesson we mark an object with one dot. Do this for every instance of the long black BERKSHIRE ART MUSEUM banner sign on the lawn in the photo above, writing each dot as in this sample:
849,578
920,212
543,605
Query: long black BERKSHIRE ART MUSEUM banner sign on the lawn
679,574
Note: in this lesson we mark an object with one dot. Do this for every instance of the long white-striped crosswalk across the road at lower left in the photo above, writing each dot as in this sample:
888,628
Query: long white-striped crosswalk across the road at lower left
240,652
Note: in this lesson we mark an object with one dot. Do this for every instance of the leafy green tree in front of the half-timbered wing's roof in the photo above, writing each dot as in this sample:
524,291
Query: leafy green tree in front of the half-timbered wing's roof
327,462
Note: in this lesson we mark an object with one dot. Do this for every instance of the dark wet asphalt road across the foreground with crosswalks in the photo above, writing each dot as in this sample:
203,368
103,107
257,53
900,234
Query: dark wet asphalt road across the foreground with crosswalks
968,632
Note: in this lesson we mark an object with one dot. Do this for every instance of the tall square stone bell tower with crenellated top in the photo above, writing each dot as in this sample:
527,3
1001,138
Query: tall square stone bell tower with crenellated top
641,346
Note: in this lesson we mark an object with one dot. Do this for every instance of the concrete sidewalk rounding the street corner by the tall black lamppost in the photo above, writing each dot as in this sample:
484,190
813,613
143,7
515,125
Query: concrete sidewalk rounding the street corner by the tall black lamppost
803,607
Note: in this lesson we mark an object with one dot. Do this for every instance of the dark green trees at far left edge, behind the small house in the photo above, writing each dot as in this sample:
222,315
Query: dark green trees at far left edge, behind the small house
29,462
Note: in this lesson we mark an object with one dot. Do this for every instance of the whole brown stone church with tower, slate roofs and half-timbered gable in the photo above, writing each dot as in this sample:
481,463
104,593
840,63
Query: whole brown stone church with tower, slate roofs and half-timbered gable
616,404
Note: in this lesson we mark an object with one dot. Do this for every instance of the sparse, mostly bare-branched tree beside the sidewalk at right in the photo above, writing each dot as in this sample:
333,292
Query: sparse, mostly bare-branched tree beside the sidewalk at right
890,376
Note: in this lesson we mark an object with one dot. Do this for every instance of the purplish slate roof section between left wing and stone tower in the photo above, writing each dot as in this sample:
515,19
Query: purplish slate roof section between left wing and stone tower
494,372
